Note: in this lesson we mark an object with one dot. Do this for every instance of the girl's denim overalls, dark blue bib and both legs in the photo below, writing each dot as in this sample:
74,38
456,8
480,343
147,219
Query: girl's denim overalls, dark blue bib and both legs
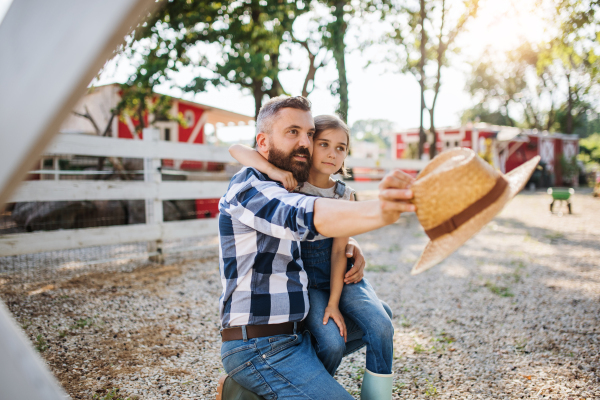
368,319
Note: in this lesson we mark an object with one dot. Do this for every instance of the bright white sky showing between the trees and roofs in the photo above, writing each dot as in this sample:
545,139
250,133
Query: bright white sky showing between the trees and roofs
375,93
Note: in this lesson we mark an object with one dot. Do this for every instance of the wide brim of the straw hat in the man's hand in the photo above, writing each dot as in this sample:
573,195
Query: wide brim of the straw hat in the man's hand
439,249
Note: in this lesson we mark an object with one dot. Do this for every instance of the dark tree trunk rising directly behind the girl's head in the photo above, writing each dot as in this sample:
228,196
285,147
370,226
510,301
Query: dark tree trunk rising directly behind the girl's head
338,33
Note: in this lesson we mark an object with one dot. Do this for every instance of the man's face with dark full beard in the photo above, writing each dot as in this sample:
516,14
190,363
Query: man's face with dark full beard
290,142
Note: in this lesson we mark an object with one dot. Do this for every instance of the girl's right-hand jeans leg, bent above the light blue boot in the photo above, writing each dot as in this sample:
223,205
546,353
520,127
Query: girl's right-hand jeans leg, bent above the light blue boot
360,304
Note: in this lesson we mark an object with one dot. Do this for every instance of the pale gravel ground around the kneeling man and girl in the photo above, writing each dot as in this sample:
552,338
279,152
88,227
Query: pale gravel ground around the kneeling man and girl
513,314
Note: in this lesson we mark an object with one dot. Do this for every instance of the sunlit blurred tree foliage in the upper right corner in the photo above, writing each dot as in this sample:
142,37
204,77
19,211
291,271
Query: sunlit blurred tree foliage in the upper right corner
551,85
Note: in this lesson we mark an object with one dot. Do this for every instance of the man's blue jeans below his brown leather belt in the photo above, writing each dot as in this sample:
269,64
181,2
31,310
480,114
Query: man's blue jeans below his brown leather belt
280,367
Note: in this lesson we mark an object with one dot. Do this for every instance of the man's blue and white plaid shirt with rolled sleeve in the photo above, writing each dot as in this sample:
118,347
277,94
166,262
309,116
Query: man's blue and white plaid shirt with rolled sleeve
260,229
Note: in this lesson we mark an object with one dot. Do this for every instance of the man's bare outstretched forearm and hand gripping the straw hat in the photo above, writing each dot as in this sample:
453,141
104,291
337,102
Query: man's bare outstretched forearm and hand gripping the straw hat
336,218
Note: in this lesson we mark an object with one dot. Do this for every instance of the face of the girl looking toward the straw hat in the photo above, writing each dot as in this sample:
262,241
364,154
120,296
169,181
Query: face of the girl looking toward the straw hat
330,148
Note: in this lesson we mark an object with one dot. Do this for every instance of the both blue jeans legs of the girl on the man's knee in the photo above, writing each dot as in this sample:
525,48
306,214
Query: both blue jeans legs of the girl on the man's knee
368,322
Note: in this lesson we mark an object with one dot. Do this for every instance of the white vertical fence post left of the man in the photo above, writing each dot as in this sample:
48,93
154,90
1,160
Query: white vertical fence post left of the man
154,210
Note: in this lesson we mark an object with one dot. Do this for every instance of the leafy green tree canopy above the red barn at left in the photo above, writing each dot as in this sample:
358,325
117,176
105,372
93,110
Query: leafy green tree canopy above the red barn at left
248,36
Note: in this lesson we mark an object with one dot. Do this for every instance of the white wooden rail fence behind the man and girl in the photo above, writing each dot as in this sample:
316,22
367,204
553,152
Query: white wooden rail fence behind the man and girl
152,189
